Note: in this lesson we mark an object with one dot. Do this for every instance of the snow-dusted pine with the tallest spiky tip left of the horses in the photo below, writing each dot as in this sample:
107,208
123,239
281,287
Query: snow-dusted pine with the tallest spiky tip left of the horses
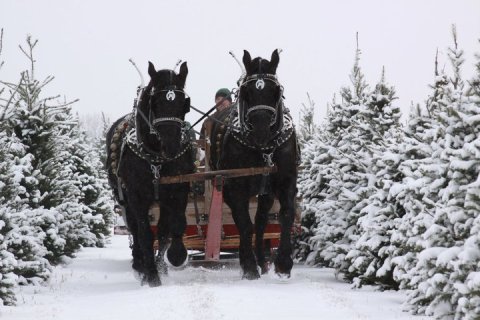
47,129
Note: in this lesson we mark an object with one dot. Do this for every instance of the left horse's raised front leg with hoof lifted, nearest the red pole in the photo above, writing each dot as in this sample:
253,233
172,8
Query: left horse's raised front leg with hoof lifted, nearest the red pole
177,253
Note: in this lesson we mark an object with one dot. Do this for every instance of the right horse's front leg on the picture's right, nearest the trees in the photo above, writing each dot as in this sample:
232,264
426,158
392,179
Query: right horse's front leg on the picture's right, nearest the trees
283,260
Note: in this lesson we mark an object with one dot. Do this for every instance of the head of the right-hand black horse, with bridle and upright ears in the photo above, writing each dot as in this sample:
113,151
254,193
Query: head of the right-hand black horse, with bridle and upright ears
260,99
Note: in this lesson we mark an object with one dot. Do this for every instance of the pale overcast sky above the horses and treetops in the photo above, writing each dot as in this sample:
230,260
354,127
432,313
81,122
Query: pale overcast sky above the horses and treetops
86,45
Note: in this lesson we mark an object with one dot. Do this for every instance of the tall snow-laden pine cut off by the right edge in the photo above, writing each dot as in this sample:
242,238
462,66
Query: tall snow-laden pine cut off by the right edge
441,272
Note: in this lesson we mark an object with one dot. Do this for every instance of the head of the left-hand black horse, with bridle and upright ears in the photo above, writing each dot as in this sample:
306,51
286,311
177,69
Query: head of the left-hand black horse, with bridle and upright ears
161,127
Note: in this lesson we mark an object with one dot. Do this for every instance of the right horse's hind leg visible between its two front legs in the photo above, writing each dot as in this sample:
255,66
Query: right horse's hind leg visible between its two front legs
265,203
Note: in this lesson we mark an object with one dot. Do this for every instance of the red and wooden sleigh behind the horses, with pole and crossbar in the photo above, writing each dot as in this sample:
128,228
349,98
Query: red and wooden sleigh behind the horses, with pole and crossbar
211,233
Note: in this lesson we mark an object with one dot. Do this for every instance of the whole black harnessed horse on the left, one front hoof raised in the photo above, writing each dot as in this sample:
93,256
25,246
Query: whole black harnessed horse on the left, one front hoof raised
142,147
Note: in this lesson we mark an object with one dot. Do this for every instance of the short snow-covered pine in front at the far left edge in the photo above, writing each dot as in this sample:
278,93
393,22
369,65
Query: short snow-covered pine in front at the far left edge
20,236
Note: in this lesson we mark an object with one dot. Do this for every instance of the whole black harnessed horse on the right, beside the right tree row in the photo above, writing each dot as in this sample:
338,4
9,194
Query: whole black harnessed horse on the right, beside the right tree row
258,131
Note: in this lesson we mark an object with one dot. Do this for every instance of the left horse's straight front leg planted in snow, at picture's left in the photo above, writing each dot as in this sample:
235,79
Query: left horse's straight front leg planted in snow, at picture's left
145,241
